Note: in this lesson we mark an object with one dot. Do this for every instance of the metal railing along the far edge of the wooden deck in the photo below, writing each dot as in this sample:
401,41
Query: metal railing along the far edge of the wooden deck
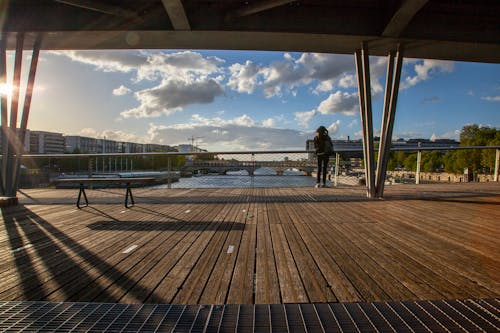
203,169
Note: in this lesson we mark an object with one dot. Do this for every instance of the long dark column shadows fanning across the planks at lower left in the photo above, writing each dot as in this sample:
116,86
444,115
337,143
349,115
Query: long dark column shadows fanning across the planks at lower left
51,247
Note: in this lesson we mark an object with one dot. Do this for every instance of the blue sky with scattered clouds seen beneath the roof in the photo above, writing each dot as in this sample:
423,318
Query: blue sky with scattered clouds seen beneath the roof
248,100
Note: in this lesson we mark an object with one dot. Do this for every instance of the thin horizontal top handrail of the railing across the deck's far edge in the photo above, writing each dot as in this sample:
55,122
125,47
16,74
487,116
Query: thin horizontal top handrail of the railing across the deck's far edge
253,152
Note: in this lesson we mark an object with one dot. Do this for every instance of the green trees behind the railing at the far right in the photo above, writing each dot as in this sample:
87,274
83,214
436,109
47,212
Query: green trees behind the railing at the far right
476,160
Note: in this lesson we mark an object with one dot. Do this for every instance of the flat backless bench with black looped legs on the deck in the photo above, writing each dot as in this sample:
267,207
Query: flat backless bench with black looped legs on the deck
126,181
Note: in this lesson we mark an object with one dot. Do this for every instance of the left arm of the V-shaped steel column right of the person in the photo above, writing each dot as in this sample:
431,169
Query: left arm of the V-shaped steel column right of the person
363,73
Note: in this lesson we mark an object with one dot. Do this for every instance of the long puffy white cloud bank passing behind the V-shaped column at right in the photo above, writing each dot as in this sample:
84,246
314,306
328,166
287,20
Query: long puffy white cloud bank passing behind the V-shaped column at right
328,70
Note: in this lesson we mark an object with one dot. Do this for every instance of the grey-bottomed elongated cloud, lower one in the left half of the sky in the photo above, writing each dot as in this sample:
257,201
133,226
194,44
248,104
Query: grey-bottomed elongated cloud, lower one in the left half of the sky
172,96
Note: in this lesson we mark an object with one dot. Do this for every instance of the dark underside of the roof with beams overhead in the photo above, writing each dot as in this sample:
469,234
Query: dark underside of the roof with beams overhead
467,30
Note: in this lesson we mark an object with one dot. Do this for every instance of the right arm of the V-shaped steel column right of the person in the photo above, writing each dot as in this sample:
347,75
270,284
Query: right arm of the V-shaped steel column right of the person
394,66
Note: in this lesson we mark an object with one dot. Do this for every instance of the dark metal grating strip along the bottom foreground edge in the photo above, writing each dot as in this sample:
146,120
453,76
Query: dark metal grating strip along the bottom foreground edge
480,315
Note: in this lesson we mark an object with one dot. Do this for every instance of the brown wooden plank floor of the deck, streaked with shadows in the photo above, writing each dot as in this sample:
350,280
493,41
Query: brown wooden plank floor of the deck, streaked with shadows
253,245
